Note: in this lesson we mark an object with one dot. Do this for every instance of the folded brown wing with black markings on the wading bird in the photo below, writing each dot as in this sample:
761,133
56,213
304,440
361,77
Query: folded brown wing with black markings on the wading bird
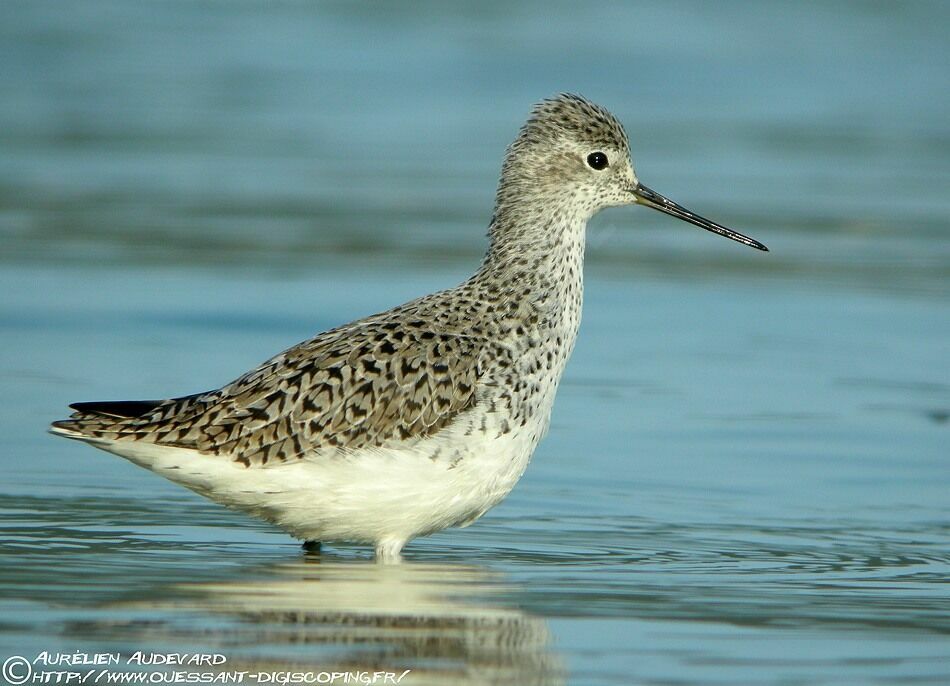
371,384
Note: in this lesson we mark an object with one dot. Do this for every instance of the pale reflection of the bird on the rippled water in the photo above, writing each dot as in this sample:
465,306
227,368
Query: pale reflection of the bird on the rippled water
437,620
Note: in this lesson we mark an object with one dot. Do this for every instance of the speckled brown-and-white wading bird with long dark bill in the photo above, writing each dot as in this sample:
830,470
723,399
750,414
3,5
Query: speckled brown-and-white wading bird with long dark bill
425,416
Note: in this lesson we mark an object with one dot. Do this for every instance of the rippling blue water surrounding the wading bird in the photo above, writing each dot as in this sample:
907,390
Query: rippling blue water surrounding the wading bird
746,477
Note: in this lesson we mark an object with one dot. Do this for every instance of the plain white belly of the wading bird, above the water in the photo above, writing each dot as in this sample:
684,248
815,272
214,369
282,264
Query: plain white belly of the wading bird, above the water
364,496
